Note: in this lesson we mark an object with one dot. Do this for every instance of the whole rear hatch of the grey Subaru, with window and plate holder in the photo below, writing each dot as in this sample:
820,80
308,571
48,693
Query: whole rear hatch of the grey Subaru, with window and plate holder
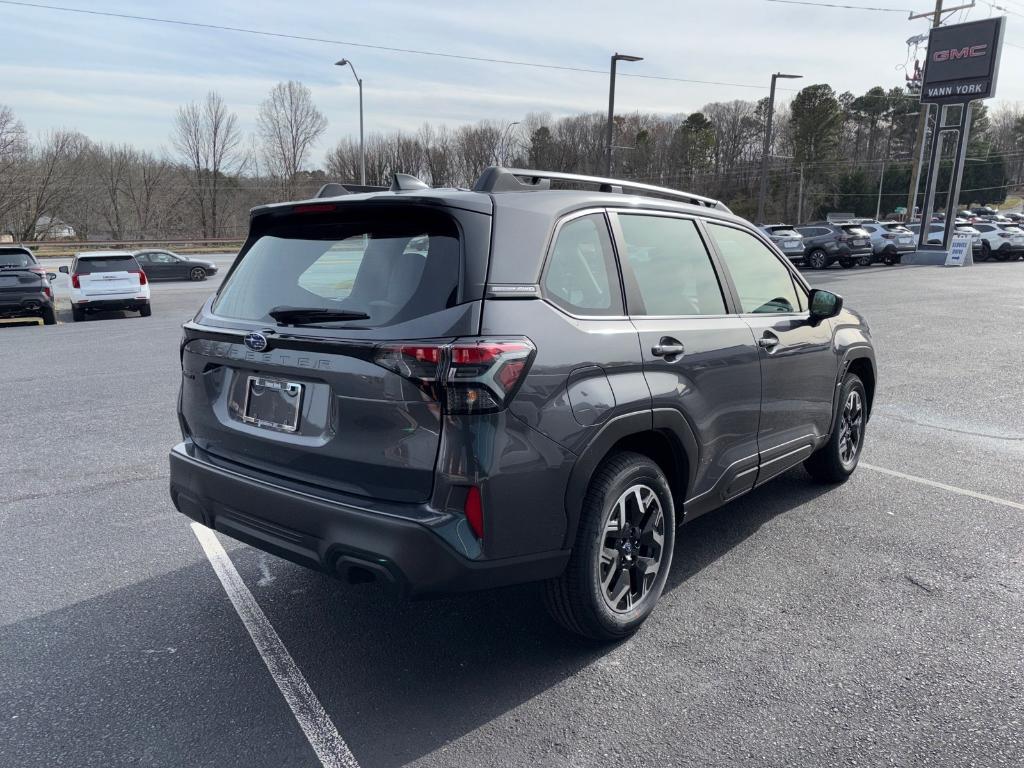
316,361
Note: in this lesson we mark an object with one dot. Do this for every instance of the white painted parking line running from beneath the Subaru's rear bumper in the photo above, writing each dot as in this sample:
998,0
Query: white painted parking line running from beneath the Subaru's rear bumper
324,738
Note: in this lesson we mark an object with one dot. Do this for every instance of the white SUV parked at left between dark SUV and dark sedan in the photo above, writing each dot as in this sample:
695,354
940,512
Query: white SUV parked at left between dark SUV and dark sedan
103,281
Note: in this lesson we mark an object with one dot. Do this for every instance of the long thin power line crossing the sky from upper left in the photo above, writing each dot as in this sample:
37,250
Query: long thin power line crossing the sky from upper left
393,50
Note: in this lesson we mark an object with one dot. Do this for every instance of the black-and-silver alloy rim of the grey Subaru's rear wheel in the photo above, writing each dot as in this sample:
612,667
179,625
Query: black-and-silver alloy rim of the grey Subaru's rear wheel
632,548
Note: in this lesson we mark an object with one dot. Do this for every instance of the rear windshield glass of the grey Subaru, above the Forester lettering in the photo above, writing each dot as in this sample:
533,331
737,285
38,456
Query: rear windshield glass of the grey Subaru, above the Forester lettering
391,267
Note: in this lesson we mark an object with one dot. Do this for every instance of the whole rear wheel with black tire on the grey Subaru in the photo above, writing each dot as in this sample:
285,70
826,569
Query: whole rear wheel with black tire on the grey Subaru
589,599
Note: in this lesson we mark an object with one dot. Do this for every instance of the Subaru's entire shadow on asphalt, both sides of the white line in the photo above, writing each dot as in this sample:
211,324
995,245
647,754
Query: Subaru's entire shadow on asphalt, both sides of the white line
162,672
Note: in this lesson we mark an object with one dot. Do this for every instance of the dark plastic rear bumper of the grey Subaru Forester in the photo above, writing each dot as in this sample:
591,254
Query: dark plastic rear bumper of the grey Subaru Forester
334,538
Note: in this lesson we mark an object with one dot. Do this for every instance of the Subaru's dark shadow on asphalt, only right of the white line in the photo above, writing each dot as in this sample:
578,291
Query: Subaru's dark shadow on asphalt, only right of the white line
402,679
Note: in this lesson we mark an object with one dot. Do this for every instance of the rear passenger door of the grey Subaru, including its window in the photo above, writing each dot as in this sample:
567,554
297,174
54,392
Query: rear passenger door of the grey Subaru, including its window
700,361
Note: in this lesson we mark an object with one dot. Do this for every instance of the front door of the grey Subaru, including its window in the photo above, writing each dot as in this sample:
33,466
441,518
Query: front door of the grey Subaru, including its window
798,366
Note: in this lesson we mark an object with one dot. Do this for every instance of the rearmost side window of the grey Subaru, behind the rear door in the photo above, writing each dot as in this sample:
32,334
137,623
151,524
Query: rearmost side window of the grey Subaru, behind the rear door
581,276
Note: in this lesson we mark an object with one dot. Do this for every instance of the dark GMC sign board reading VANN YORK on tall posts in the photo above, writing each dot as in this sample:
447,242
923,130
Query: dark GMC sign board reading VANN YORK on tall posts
963,62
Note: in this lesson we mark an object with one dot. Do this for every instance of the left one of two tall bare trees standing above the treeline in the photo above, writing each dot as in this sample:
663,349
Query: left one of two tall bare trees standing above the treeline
208,141
